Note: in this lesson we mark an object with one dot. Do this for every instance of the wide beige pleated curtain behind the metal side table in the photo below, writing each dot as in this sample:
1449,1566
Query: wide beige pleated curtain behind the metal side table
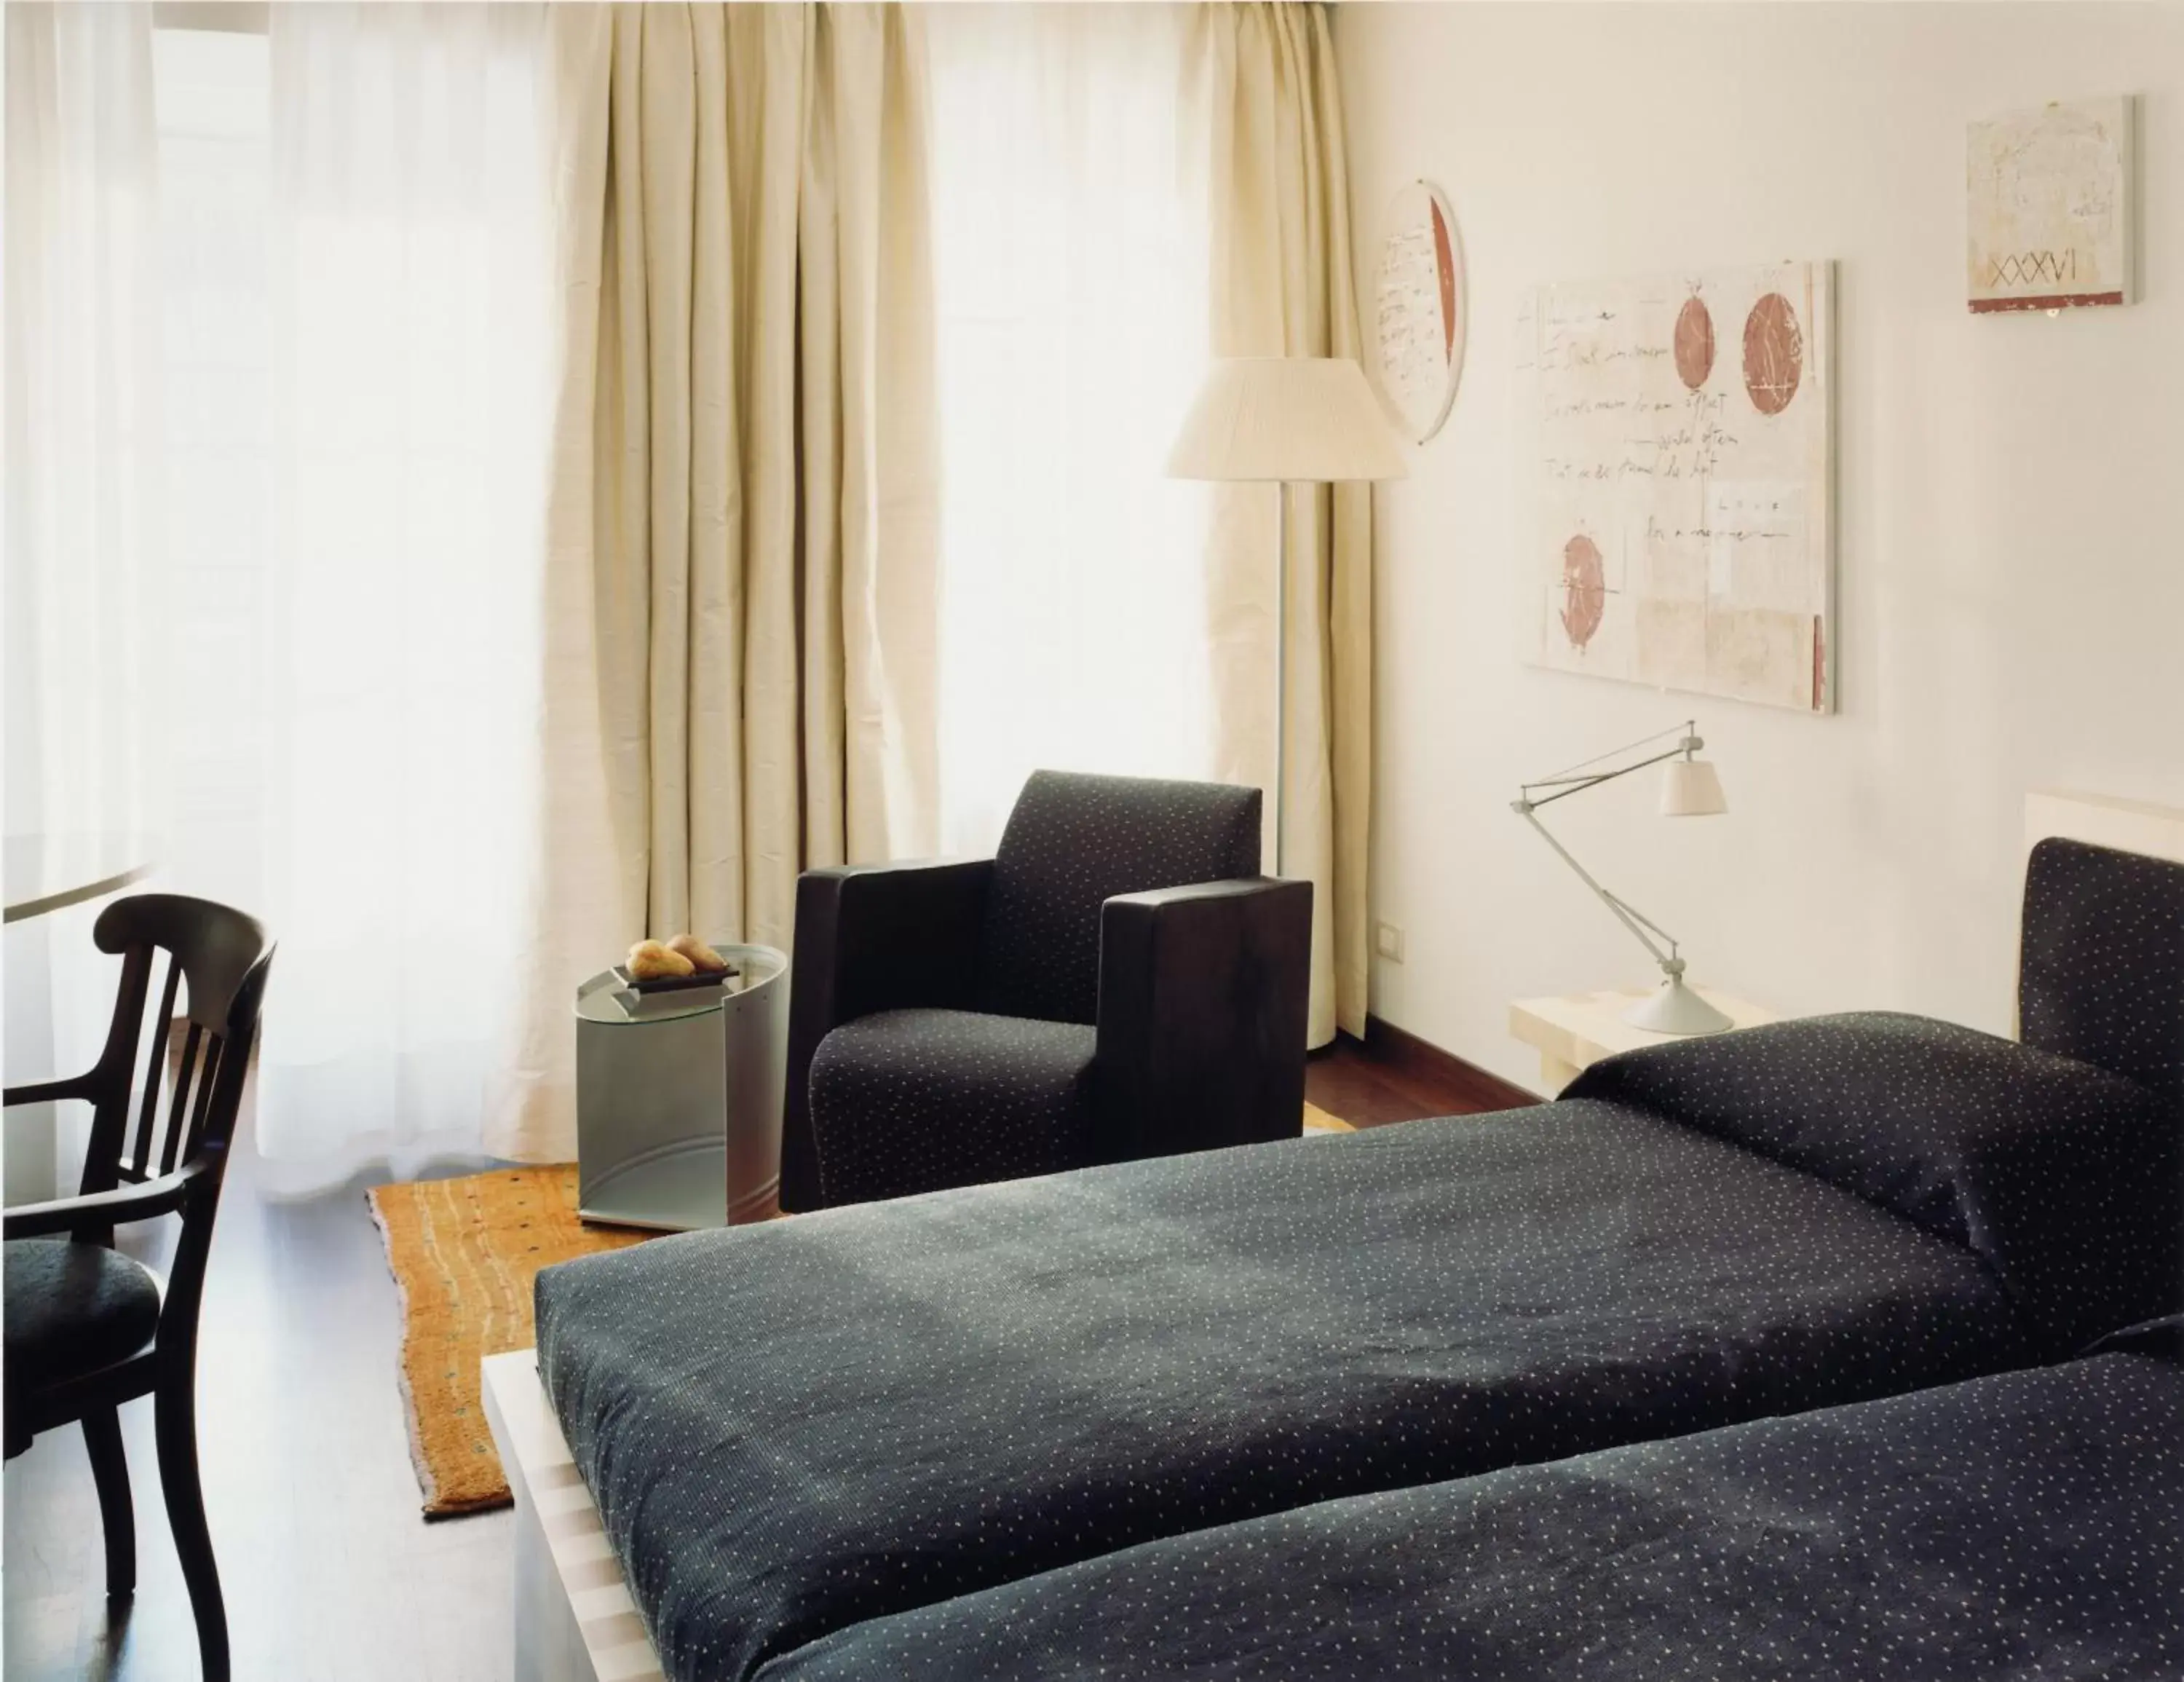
746,486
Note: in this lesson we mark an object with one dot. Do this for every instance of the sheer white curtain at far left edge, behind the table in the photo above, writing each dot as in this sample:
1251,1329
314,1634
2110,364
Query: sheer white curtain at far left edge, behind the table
86,479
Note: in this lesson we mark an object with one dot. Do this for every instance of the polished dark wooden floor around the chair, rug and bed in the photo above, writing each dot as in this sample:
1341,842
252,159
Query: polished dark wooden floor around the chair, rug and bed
329,1570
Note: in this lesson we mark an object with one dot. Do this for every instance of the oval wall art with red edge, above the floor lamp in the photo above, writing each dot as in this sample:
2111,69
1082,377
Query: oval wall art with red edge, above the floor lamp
1419,311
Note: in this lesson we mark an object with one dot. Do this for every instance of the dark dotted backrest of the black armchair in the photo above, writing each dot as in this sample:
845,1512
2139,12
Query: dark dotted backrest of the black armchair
1073,844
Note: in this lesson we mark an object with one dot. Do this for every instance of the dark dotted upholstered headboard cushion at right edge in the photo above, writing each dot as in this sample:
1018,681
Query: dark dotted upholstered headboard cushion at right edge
2102,978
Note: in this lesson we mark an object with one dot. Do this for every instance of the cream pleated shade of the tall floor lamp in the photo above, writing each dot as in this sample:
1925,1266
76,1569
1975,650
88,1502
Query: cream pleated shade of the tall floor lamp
1287,420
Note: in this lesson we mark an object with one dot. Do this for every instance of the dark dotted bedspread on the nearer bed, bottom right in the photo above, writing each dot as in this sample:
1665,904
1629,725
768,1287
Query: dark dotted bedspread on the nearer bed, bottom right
2026,1526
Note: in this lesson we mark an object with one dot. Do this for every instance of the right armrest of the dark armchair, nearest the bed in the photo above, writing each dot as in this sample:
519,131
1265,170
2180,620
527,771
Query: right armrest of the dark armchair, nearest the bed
1202,1017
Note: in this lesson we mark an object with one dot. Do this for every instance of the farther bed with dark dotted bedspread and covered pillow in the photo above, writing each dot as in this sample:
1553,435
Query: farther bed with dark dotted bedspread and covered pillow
787,1432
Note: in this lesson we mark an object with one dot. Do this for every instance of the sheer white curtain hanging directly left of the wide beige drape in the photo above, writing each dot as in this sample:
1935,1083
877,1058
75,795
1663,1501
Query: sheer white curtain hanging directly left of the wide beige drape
409,372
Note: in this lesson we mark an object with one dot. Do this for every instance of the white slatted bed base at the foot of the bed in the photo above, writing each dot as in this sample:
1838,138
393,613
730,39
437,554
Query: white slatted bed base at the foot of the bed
573,1613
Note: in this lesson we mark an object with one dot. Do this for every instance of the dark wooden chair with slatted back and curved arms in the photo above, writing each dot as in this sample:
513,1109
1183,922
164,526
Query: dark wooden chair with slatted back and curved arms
88,1327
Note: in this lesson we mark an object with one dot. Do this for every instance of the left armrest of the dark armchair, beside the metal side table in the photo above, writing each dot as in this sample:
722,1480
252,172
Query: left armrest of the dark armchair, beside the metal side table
873,938
